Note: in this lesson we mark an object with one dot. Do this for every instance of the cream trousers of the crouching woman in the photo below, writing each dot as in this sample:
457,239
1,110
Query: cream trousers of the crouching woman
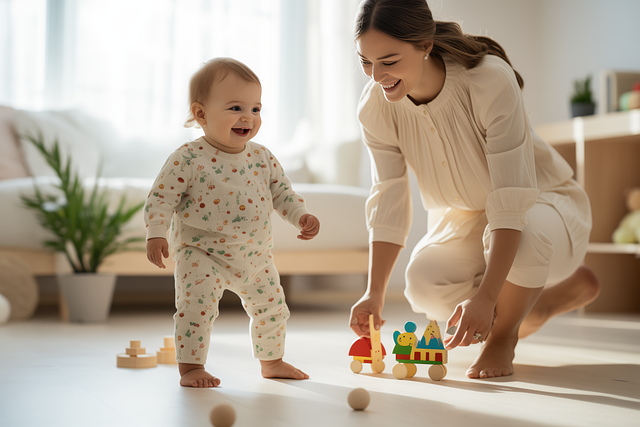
442,275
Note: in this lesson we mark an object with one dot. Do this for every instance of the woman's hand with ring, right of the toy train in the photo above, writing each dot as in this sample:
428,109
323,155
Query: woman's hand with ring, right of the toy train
474,319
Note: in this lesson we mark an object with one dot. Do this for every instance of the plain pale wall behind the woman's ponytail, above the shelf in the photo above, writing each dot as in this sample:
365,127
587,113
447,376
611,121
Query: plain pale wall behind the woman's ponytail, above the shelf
553,42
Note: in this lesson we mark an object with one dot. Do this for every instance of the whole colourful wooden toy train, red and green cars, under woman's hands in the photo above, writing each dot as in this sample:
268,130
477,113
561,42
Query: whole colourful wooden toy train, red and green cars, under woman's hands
410,351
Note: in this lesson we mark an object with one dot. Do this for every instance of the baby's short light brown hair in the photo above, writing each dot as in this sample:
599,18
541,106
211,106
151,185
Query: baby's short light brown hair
210,72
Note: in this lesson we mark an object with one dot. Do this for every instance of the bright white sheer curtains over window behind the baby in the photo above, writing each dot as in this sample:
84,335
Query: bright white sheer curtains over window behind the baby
129,62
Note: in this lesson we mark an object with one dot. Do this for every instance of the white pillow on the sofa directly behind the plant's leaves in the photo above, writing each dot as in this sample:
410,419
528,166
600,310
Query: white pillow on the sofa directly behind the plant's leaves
75,138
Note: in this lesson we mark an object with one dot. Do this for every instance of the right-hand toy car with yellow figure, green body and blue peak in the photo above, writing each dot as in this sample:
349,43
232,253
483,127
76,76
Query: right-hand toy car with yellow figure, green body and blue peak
428,350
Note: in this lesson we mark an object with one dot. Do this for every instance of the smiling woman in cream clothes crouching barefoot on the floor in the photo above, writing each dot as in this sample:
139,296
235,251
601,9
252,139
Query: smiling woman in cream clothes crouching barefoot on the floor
509,227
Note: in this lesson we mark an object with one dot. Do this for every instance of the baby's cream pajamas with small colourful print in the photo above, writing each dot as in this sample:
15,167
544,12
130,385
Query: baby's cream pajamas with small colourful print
219,207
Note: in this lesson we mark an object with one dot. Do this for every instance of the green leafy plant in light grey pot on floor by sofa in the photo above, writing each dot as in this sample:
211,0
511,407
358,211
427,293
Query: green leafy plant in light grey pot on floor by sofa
86,229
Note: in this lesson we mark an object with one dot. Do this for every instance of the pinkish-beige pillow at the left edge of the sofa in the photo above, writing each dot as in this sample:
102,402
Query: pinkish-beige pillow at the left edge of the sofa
12,163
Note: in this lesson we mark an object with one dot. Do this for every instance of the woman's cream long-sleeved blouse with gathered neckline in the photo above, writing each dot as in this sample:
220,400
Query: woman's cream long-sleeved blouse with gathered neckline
472,150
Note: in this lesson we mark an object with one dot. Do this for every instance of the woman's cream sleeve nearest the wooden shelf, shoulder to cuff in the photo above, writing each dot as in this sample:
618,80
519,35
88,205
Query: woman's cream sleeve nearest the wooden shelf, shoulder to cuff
509,149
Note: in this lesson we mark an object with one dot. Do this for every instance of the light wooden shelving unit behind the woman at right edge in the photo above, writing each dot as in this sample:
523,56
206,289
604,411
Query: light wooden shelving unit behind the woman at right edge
604,151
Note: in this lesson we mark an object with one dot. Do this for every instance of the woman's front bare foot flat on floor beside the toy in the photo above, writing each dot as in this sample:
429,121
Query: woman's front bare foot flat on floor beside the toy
495,359
